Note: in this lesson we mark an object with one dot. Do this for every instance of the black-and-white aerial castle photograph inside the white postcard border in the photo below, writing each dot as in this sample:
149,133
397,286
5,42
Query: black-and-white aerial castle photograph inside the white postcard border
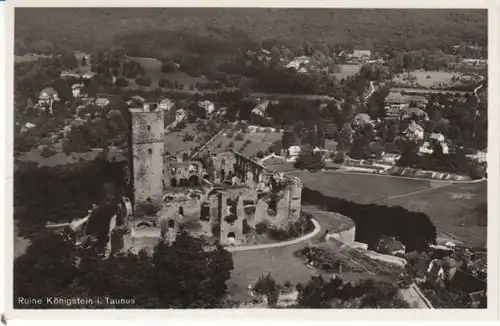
243,158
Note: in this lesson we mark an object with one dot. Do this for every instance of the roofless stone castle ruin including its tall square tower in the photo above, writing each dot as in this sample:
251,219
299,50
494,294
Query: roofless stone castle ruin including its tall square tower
167,194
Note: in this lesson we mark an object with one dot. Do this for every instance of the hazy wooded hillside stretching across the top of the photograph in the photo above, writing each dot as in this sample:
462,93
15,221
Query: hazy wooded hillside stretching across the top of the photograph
87,28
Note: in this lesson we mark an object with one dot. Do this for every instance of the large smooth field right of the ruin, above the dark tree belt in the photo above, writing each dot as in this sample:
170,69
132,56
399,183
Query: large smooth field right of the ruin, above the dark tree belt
451,207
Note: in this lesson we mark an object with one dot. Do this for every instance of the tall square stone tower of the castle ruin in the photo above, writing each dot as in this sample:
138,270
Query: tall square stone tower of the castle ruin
146,156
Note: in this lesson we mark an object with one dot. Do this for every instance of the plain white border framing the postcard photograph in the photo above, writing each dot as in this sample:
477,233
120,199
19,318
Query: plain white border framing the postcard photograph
259,315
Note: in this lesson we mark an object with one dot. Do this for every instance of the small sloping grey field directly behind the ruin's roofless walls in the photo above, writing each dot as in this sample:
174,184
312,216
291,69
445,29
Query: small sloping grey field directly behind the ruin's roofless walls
259,141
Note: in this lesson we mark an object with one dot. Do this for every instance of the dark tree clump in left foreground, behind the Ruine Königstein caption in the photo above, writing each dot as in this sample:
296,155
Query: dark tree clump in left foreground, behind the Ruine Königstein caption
55,266
